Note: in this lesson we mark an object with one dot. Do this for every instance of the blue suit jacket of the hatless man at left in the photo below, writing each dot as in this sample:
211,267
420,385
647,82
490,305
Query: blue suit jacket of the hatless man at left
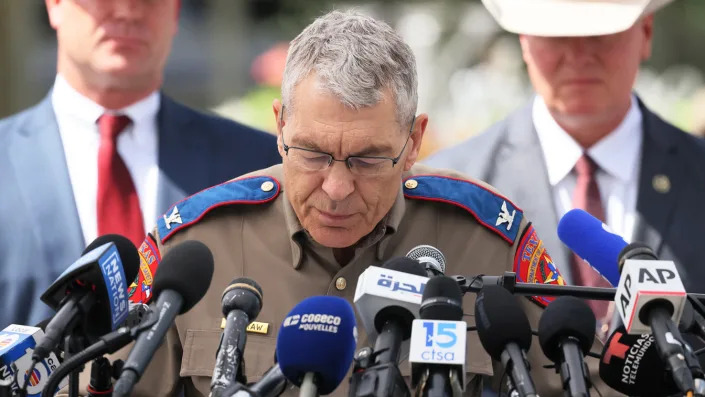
40,228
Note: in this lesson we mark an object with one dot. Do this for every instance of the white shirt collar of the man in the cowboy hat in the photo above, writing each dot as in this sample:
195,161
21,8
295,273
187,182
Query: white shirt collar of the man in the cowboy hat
617,153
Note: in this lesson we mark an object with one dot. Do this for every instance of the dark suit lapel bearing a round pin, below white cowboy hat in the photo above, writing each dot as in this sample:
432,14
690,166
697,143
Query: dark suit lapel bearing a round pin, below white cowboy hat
659,182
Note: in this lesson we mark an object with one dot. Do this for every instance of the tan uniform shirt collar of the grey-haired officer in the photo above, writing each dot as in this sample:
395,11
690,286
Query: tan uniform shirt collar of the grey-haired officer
388,226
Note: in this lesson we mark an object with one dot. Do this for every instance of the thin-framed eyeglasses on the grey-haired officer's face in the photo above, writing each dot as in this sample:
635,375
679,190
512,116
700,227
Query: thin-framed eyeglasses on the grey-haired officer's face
313,160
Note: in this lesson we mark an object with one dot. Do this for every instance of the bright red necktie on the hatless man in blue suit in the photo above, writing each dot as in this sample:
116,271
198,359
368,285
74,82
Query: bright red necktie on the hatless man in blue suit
118,207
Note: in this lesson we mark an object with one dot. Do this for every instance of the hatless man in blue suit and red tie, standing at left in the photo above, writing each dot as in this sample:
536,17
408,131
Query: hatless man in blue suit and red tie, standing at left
105,151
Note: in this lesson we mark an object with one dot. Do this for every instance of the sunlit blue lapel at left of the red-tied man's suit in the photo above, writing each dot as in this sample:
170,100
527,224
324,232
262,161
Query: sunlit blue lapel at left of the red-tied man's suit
39,164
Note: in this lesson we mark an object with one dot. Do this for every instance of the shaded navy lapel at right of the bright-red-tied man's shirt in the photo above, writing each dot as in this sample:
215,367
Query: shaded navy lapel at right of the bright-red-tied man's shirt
179,166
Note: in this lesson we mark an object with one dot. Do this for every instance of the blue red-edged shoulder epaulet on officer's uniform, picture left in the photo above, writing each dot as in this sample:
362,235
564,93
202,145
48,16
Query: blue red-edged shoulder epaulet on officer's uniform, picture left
251,190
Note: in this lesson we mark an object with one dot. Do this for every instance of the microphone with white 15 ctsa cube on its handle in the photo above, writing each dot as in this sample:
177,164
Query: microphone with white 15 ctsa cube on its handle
437,349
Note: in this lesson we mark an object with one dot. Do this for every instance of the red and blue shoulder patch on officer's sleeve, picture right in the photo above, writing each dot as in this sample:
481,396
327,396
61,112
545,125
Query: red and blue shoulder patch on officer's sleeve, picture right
533,264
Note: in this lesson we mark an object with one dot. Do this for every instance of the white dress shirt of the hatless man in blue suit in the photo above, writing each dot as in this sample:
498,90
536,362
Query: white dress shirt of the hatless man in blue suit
77,118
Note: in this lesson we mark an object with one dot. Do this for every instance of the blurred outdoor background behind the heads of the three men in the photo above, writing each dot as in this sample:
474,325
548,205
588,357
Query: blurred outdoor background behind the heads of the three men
229,55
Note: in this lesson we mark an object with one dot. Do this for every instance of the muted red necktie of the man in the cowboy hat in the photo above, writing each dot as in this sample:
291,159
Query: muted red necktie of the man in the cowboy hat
587,197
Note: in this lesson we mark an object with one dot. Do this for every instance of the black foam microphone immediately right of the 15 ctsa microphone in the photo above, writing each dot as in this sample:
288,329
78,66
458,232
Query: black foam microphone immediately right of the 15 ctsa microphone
505,333
